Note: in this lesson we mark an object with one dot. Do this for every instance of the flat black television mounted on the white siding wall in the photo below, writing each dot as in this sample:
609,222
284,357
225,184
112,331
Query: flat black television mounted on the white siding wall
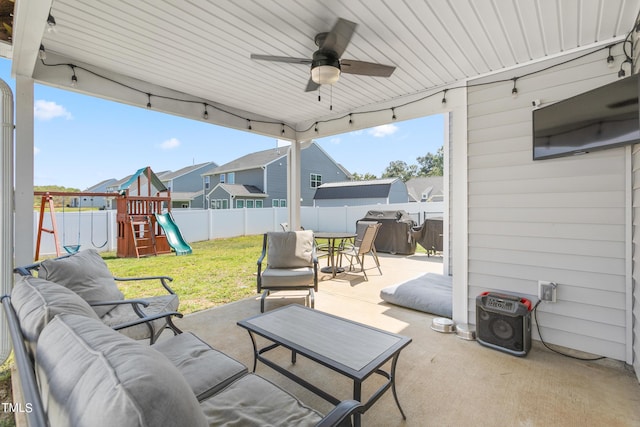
604,117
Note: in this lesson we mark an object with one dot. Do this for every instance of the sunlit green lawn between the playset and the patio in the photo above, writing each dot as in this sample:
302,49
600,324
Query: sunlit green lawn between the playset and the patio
217,272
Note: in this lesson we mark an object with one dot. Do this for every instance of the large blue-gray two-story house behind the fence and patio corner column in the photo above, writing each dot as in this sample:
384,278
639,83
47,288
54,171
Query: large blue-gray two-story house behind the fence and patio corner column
260,179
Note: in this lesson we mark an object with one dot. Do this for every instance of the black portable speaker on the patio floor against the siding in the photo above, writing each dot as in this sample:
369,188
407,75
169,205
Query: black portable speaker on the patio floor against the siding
503,322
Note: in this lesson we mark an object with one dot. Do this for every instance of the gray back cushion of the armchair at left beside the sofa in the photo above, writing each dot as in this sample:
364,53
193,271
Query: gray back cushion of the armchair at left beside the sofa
86,274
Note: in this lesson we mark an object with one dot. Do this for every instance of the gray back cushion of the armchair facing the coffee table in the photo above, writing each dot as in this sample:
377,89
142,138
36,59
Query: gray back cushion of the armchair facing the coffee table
290,249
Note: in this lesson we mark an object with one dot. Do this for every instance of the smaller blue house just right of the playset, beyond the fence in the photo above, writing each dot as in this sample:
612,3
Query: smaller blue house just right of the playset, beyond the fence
187,185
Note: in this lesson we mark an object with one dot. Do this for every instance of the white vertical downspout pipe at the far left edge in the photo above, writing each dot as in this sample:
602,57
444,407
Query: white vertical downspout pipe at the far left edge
6,210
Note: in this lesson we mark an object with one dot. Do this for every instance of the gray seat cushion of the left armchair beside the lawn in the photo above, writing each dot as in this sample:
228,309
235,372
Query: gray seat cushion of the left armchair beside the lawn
123,313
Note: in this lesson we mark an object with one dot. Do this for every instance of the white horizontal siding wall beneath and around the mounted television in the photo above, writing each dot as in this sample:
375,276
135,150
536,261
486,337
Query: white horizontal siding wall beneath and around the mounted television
561,220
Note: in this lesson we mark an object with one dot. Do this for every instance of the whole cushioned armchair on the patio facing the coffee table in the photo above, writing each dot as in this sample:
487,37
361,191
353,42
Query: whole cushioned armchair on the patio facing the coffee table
291,264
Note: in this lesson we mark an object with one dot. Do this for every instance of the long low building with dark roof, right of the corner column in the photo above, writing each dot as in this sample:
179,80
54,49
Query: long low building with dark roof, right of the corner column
358,193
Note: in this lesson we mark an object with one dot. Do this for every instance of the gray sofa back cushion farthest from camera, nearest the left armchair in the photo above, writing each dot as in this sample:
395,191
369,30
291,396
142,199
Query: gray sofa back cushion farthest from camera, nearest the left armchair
36,302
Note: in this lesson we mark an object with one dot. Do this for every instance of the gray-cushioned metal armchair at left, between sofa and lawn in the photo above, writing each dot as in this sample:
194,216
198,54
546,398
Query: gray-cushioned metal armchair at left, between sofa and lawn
86,274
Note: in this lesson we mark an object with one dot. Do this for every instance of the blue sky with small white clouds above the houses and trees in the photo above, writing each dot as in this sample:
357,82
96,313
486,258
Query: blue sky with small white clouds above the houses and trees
81,140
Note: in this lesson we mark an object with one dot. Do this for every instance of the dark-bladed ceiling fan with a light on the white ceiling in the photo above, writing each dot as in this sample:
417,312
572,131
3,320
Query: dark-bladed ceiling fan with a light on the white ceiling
326,64
